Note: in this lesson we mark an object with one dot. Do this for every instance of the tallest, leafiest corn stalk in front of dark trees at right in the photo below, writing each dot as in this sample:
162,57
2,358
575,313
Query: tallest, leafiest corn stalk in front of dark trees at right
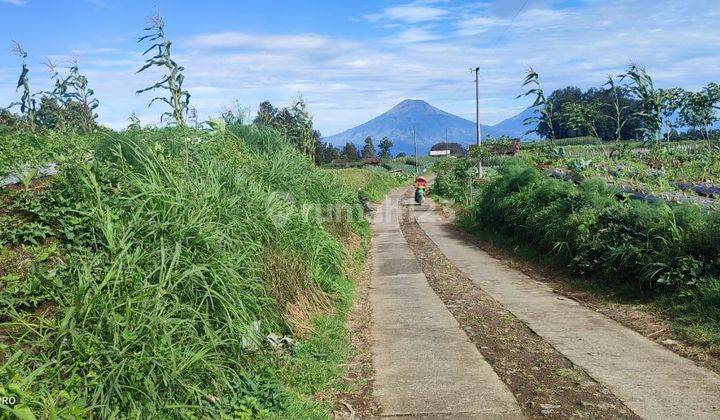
651,101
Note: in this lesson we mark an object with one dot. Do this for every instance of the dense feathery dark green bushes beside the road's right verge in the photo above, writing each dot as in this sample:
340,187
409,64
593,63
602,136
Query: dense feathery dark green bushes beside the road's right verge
648,245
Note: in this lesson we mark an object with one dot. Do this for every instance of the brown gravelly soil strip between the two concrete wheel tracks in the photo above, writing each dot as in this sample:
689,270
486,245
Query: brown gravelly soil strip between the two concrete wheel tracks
545,383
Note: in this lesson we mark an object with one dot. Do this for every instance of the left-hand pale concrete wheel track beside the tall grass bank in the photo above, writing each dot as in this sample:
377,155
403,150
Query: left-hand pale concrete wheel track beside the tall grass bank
425,365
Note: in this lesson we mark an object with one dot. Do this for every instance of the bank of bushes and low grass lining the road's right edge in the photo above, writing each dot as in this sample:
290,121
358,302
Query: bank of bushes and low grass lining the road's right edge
664,252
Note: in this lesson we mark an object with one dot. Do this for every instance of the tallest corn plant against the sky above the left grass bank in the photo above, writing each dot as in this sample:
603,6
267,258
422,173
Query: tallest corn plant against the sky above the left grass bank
179,99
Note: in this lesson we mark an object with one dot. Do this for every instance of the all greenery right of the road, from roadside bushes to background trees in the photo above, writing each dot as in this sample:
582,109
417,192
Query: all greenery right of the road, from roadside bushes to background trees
636,216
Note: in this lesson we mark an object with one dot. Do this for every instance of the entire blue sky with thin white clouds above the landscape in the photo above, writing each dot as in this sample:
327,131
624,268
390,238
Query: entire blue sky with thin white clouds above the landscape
352,60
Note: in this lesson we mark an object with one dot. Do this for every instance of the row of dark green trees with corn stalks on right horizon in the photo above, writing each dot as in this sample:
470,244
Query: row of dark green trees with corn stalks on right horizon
627,106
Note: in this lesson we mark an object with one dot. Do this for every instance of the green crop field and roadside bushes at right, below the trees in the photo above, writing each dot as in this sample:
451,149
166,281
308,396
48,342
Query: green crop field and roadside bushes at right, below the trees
667,252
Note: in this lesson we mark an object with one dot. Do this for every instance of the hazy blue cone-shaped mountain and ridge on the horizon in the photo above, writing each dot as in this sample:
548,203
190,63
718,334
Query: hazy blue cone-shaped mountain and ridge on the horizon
431,126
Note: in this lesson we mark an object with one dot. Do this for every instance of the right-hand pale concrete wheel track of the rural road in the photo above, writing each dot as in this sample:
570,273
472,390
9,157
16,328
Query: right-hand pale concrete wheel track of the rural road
648,378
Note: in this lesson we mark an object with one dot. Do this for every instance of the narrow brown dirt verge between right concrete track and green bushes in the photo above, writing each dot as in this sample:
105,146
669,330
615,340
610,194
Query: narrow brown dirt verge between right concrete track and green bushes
639,317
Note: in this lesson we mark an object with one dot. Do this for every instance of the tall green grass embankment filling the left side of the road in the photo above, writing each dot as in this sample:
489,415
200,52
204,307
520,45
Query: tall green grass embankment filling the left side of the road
152,280
